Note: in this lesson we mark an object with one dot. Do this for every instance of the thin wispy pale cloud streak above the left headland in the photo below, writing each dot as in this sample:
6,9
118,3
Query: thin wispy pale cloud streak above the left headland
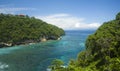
13,10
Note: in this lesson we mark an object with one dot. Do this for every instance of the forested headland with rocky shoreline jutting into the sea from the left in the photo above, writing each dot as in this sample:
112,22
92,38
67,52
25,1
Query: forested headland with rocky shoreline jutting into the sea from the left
22,29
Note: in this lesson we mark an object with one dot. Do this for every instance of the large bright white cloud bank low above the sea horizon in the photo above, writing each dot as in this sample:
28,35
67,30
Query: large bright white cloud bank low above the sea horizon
68,22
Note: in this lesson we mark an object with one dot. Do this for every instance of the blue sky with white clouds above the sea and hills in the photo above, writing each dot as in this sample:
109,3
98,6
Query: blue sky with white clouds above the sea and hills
66,14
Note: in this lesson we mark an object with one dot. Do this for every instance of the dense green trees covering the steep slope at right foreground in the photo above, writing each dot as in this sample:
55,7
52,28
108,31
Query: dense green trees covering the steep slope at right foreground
102,50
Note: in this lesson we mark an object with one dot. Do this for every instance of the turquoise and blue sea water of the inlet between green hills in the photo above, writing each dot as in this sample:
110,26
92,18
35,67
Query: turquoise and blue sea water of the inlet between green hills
37,57
